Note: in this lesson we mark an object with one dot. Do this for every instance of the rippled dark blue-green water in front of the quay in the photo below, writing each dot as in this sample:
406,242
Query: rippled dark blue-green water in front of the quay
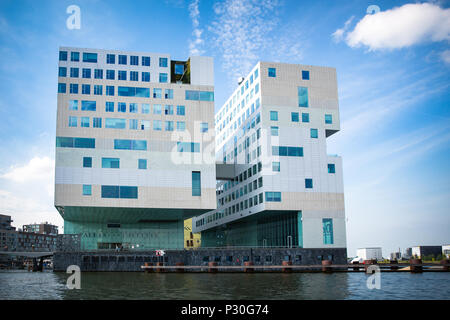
169,286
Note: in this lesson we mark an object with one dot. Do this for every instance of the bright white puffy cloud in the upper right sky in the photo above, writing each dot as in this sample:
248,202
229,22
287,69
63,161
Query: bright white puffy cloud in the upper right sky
400,27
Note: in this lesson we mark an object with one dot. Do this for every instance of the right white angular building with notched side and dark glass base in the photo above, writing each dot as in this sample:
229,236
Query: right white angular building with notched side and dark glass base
277,185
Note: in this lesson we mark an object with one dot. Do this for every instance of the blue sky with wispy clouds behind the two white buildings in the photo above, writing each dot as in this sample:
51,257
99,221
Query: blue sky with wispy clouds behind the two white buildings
393,77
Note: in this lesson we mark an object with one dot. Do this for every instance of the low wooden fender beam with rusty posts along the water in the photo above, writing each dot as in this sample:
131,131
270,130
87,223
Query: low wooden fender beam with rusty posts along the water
287,266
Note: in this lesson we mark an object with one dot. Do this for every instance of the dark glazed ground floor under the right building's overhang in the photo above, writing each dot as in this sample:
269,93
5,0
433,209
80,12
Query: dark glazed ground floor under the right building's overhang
264,229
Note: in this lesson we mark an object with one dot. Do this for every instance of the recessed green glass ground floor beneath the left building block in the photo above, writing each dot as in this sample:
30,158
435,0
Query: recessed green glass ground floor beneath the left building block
126,228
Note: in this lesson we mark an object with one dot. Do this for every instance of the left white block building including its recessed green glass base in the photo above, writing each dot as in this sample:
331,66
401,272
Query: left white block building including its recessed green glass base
134,146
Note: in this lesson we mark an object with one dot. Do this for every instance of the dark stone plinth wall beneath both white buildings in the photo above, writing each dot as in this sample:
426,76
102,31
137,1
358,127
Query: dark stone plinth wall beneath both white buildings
132,261
